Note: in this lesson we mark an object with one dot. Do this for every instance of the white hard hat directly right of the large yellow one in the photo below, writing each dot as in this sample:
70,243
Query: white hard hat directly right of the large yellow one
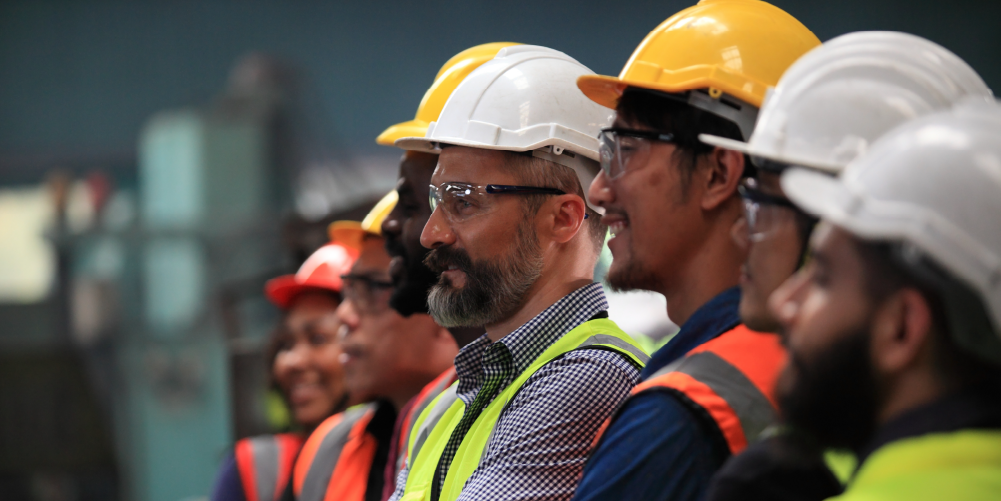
840,98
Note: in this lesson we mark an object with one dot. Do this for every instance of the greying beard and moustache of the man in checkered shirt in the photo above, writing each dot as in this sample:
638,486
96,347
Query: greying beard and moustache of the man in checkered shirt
494,290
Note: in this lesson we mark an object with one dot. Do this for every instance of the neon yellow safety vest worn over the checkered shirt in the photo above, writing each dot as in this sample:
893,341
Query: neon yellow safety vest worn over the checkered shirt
436,424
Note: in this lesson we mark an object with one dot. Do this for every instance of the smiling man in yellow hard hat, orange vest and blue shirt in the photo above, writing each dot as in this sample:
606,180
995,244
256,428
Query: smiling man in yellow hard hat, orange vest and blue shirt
671,202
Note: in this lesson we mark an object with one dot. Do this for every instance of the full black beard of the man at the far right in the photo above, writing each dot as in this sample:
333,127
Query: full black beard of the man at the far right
834,398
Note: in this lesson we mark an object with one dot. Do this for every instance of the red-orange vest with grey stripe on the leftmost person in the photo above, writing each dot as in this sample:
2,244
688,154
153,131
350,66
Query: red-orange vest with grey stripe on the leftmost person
265,464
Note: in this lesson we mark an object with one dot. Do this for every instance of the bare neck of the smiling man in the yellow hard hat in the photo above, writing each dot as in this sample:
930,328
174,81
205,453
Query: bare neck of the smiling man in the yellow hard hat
711,269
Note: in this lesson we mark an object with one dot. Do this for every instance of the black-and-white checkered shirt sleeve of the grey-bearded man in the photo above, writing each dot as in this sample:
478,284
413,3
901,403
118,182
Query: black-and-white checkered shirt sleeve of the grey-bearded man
541,442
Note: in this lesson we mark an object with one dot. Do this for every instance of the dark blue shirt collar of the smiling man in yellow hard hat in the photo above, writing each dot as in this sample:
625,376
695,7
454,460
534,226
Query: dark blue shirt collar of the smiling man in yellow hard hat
719,315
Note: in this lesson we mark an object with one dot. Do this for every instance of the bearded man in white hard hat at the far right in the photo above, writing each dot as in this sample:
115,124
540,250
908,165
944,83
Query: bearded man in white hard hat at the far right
894,326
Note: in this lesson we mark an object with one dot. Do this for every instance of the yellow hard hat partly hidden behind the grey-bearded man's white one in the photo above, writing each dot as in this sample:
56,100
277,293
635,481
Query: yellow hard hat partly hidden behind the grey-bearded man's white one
449,78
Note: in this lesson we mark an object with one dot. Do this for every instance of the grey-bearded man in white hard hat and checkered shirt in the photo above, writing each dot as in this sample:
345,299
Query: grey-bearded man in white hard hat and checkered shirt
515,244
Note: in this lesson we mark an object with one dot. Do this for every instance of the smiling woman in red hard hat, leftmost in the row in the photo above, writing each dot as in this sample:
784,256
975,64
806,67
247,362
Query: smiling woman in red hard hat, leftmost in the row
305,357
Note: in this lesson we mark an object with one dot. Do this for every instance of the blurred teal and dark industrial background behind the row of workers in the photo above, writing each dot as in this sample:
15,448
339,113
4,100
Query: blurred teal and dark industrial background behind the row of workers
160,161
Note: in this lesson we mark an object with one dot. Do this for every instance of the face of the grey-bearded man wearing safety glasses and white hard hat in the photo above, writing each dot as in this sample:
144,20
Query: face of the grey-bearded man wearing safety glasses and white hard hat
486,250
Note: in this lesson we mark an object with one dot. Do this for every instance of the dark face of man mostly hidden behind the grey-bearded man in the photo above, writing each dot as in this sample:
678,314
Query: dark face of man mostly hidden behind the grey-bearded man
412,279
